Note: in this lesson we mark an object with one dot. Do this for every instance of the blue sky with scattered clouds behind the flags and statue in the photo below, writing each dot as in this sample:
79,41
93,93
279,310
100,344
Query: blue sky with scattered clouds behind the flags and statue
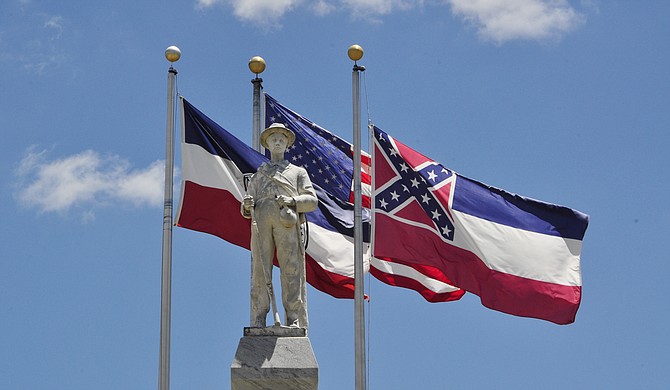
564,101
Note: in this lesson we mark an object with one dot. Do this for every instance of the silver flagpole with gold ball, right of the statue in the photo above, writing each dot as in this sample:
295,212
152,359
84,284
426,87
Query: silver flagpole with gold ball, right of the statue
355,53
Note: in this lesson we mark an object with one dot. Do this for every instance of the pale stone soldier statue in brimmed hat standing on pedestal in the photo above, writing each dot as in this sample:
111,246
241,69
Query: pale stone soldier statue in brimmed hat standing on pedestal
278,195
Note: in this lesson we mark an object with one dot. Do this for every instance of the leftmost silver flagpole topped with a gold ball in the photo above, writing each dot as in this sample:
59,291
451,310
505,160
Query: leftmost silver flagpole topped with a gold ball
172,54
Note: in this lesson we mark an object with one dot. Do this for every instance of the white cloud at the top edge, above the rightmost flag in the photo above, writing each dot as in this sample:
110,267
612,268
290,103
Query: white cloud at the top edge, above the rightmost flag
505,20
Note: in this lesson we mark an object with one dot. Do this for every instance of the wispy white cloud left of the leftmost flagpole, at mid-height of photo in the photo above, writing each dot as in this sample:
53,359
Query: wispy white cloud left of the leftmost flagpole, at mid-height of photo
85,181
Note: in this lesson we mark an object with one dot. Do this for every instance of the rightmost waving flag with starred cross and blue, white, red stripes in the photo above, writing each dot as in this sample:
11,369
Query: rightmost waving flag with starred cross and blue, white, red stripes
520,256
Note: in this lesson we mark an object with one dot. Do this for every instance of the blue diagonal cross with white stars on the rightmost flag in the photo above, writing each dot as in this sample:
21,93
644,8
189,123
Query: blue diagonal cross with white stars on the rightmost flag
415,183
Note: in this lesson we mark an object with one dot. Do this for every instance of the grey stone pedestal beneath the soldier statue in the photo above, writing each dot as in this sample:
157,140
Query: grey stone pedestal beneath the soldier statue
274,358
